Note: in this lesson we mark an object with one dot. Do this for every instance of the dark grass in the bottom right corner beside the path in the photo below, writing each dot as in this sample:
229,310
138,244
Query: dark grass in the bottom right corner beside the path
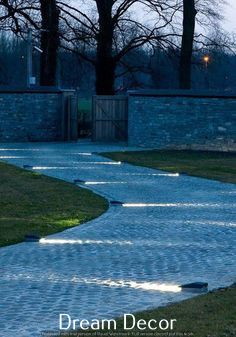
210,315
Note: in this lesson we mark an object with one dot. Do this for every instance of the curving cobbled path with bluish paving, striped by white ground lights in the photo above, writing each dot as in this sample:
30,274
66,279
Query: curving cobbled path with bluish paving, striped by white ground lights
171,229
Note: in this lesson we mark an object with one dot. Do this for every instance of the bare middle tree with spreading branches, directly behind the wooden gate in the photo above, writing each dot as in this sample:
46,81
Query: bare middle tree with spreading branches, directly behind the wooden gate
114,31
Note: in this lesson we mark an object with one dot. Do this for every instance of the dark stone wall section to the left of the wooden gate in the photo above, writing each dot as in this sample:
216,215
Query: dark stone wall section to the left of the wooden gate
33,115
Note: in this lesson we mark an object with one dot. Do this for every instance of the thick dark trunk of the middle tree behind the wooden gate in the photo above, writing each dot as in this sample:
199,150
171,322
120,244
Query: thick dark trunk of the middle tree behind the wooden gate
105,64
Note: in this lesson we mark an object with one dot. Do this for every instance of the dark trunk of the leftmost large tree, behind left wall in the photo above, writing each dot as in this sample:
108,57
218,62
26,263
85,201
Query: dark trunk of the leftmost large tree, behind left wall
49,42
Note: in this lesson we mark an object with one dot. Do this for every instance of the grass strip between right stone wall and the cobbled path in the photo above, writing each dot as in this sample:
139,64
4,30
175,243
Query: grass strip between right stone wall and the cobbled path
212,165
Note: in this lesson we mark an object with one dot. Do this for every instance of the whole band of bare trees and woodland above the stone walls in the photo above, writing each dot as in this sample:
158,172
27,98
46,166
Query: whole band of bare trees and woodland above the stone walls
114,45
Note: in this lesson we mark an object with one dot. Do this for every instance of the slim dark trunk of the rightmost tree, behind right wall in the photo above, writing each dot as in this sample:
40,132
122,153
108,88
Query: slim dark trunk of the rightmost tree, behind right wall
187,44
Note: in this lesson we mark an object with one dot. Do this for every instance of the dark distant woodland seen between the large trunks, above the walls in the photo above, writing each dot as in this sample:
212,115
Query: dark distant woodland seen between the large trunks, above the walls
140,69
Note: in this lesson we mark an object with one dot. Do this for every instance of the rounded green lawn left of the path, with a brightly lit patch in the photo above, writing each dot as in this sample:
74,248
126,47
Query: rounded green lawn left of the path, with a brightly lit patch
31,203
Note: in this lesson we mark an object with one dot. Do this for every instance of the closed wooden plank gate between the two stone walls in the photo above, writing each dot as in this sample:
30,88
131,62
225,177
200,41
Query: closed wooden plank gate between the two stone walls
110,118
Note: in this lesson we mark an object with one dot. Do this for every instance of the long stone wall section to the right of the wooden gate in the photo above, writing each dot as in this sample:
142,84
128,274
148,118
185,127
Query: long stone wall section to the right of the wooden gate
182,120
